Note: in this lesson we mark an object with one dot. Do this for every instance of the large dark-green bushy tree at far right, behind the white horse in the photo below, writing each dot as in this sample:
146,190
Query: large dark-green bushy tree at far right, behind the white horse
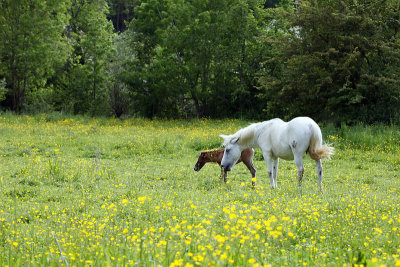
339,63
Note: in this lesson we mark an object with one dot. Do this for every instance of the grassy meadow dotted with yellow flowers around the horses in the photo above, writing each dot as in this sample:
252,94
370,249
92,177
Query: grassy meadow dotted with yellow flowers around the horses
77,191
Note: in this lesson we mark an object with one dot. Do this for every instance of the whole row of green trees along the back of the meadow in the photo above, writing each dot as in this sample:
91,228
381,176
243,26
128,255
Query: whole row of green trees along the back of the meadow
333,60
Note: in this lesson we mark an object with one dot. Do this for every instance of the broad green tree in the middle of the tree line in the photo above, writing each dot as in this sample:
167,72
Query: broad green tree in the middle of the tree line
205,51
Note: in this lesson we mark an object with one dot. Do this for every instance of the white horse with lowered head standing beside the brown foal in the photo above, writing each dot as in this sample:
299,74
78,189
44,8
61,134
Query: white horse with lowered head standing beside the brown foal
279,139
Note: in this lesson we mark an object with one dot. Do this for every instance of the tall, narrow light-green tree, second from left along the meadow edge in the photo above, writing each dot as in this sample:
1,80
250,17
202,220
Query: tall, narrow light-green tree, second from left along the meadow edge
82,81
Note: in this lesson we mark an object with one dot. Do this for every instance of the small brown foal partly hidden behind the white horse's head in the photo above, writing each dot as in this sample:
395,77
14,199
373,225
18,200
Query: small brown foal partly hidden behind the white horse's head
216,156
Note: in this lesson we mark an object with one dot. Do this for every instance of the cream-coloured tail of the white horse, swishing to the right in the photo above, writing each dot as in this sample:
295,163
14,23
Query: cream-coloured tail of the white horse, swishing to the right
316,149
